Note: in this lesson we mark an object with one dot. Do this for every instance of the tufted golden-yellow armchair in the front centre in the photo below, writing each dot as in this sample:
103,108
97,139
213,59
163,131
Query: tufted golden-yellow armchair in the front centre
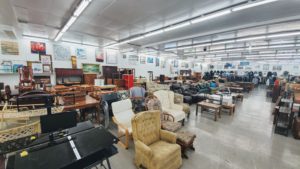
154,148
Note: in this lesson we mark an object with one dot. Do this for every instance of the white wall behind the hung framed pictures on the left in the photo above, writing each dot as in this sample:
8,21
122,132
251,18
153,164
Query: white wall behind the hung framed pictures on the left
26,55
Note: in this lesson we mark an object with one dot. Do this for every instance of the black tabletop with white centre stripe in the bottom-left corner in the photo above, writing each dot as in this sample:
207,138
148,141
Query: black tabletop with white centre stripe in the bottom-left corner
94,145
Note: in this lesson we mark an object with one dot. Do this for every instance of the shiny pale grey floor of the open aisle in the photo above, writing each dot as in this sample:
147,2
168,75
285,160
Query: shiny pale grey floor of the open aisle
243,141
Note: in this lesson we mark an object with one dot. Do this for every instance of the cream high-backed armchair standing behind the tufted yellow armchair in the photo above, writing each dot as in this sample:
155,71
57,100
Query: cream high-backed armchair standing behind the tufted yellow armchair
168,105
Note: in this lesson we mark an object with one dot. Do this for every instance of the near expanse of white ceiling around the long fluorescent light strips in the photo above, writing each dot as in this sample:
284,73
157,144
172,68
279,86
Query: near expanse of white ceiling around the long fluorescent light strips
107,21
